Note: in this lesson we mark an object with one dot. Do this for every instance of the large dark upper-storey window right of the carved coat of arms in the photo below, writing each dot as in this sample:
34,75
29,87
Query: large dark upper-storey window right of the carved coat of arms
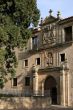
68,33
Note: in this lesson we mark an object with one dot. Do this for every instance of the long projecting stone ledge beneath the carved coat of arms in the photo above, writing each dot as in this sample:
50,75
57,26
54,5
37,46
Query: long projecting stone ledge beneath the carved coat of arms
42,47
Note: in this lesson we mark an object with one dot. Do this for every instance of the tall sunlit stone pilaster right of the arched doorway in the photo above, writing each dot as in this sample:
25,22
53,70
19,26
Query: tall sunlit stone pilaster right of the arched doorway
65,85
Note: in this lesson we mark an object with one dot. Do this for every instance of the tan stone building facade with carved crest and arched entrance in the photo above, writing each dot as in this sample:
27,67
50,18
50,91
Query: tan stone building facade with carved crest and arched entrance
45,66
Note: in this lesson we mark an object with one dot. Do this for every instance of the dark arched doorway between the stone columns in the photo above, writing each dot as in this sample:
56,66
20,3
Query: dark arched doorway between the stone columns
50,89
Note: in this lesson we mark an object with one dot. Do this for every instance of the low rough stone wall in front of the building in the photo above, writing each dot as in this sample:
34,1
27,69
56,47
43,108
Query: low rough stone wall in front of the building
24,103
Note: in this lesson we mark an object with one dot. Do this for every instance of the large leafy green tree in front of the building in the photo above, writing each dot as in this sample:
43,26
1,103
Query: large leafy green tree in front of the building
15,19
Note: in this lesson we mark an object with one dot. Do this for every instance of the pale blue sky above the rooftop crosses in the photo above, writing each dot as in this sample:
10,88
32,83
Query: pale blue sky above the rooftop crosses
64,6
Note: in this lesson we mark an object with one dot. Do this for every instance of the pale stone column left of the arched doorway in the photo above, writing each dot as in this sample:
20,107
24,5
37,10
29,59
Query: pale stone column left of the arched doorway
35,81
